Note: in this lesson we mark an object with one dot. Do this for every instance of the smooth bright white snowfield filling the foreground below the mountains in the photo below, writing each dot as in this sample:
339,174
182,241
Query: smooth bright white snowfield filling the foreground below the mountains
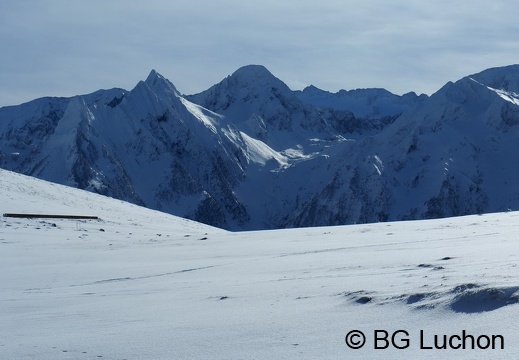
139,284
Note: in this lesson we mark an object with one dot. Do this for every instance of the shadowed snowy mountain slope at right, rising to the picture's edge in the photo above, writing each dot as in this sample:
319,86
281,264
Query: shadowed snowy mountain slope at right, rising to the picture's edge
451,155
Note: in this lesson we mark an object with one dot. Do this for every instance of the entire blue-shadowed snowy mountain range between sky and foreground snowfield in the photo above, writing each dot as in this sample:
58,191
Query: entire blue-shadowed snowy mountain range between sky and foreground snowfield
250,153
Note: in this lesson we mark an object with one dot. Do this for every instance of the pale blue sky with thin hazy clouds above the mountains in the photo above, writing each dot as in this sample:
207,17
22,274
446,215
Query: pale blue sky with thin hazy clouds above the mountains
70,47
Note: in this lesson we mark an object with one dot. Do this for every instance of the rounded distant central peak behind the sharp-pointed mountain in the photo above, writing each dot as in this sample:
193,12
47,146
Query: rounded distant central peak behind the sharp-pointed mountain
264,108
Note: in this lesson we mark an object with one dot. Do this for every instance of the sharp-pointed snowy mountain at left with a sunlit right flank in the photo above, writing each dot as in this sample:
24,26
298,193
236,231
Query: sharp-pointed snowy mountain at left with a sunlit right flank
148,146
